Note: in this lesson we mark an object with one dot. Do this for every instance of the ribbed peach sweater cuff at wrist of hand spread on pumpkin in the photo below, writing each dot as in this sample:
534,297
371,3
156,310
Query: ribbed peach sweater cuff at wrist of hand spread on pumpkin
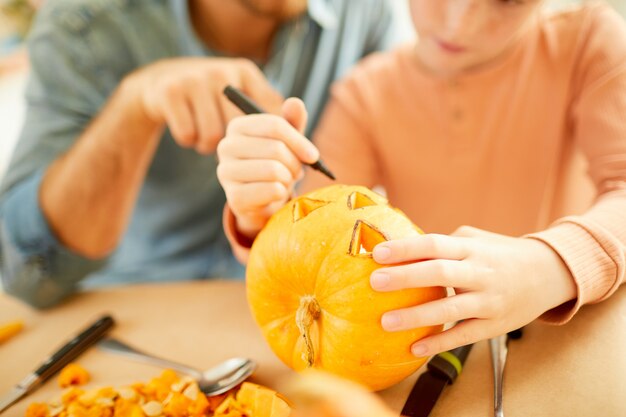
592,257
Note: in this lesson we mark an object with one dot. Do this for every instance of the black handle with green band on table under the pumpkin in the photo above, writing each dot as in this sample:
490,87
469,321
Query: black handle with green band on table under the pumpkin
442,369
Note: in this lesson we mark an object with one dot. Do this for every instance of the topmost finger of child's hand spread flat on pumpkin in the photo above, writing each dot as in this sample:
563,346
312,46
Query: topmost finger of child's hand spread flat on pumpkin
430,246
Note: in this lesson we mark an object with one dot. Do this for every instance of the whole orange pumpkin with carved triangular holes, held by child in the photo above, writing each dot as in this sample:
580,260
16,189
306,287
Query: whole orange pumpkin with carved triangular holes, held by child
309,290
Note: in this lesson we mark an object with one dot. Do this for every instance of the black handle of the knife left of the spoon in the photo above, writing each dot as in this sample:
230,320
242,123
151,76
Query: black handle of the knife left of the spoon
73,348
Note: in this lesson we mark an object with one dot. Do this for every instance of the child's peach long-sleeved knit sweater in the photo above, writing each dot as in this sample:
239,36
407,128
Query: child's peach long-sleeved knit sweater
532,144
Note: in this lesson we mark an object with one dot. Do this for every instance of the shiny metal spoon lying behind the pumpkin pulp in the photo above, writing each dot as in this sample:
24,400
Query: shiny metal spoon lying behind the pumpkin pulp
213,381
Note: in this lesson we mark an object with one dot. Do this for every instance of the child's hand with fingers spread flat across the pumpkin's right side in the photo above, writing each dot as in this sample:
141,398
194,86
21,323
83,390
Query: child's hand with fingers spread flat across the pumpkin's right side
501,284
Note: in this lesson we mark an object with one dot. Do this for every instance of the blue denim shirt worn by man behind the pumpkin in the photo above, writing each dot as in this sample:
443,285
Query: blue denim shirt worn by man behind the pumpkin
80,50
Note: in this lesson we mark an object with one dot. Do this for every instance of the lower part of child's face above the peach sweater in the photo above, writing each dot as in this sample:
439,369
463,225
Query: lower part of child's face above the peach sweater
458,35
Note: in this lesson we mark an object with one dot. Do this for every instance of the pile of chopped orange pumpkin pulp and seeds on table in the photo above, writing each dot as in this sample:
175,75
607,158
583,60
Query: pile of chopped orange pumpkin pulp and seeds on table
167,395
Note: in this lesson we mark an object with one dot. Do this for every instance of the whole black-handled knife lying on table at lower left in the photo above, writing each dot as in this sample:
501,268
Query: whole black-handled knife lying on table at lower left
57,361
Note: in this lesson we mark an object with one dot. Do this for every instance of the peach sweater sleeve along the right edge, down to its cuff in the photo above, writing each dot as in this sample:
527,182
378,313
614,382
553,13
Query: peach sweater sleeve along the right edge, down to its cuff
593,245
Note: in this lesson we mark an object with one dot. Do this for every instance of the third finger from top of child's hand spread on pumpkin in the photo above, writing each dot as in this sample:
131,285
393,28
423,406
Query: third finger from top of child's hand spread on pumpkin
445,310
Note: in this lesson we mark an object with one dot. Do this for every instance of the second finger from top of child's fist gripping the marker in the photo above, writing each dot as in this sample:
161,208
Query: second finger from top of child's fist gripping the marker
246,147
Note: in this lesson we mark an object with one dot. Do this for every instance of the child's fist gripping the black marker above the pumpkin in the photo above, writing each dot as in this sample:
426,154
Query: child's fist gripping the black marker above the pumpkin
260,160
